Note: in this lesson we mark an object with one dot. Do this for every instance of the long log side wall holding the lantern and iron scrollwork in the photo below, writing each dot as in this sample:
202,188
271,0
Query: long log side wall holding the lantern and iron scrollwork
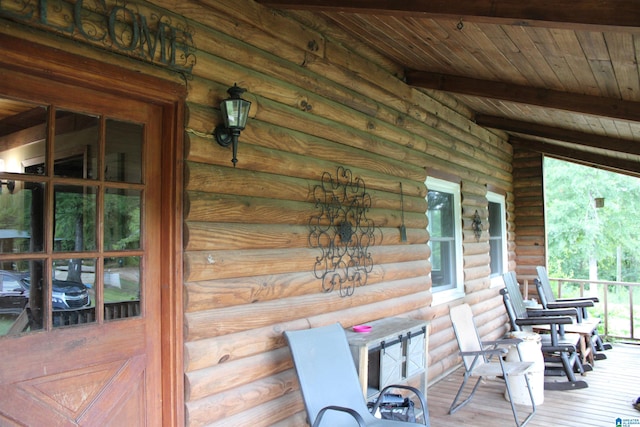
320,101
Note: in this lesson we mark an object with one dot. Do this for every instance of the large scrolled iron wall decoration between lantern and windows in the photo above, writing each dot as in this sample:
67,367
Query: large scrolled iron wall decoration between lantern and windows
342,231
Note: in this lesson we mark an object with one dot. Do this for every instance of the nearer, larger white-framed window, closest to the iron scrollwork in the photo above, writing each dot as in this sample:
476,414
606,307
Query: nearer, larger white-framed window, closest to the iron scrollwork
445,239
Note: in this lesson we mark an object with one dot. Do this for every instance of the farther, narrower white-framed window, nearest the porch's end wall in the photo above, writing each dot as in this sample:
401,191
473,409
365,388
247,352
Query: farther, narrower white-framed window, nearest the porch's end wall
497,234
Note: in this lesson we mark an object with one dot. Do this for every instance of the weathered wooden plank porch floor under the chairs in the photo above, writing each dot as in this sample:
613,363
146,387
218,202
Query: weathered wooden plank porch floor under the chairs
613,385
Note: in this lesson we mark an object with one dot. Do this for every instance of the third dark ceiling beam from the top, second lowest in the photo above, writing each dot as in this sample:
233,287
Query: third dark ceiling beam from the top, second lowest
587,139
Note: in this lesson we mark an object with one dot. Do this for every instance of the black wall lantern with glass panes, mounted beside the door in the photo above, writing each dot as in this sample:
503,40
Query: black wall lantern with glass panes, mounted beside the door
235,112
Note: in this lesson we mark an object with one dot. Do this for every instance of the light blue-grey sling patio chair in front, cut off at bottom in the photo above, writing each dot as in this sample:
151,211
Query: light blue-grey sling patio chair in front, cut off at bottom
329,381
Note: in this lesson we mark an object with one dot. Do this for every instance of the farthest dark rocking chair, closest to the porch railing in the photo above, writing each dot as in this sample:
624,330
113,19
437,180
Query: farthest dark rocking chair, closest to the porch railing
585,325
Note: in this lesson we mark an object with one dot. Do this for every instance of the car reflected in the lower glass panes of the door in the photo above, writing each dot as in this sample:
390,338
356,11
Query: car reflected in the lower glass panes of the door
14,293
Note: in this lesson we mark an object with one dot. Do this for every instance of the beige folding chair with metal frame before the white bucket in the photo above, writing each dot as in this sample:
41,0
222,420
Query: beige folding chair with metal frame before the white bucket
485,359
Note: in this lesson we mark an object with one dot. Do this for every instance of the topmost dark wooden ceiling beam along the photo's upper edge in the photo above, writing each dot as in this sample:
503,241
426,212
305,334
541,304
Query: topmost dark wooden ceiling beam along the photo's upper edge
593,14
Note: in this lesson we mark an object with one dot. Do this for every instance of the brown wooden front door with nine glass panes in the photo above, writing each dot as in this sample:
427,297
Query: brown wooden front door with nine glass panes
79,256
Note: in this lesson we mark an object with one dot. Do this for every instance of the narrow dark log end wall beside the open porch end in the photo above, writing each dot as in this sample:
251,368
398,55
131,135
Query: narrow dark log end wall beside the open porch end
529,216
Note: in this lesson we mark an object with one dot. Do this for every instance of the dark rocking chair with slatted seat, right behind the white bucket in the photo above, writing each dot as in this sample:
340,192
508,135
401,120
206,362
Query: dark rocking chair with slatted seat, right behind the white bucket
558,349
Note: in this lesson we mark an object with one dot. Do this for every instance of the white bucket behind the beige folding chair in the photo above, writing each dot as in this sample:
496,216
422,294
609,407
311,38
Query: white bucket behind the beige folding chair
531,350
